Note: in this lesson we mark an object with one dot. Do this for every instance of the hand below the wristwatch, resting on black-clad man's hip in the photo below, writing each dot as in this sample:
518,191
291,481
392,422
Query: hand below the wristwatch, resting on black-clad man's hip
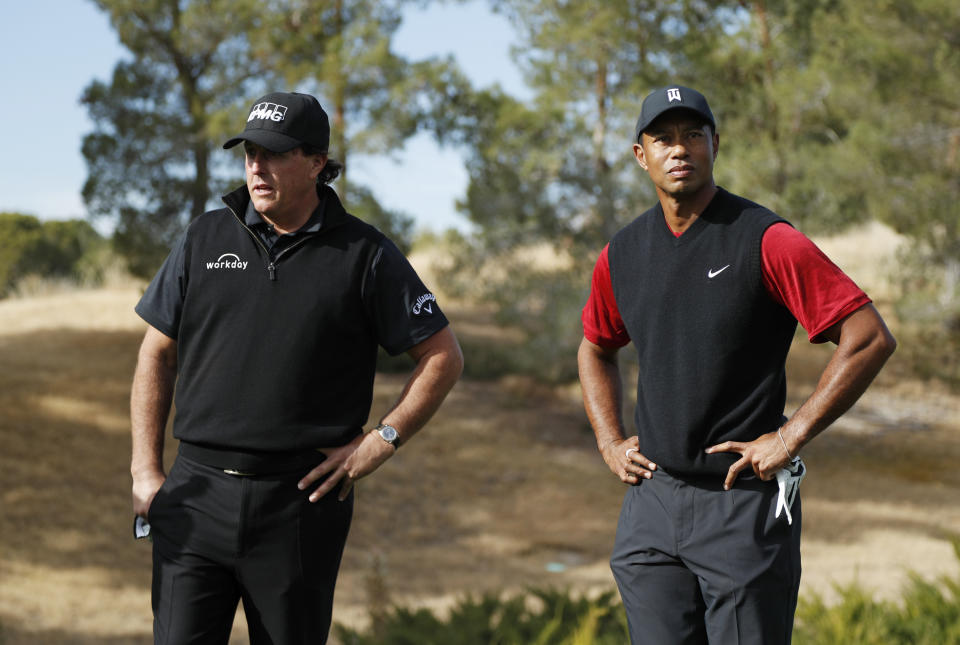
348,463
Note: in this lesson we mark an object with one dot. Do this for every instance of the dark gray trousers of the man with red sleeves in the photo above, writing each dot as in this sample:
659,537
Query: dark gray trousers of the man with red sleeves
696,564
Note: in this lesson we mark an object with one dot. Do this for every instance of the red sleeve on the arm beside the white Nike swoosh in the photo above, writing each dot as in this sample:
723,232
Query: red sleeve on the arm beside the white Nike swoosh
802,278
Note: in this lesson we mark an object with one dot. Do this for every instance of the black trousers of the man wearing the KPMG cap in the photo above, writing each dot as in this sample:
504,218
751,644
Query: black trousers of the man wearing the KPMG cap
219,539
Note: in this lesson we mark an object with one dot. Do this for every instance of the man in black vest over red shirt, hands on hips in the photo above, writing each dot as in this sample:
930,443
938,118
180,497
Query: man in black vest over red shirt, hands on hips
709,287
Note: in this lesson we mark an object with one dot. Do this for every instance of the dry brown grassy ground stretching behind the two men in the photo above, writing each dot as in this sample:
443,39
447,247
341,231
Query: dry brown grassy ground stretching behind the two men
504,489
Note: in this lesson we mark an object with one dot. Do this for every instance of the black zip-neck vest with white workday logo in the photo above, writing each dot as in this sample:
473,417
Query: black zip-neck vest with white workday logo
277,357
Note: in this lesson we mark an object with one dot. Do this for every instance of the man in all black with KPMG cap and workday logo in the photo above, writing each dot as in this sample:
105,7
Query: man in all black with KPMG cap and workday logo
268,315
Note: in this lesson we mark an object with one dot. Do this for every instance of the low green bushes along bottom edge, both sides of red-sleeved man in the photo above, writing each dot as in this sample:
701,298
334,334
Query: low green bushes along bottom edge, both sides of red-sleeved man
928,613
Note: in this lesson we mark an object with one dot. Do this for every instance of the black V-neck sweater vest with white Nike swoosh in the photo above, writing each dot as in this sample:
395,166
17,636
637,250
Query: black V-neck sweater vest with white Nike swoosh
711,342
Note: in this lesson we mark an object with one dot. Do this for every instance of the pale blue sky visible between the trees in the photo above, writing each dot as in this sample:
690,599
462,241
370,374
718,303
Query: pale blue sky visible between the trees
51,49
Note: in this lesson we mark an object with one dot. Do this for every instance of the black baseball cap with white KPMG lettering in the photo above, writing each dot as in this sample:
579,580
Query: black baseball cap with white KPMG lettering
281,121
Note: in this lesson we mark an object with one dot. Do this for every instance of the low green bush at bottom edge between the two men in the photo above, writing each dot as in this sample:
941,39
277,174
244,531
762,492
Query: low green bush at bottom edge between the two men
540,617
